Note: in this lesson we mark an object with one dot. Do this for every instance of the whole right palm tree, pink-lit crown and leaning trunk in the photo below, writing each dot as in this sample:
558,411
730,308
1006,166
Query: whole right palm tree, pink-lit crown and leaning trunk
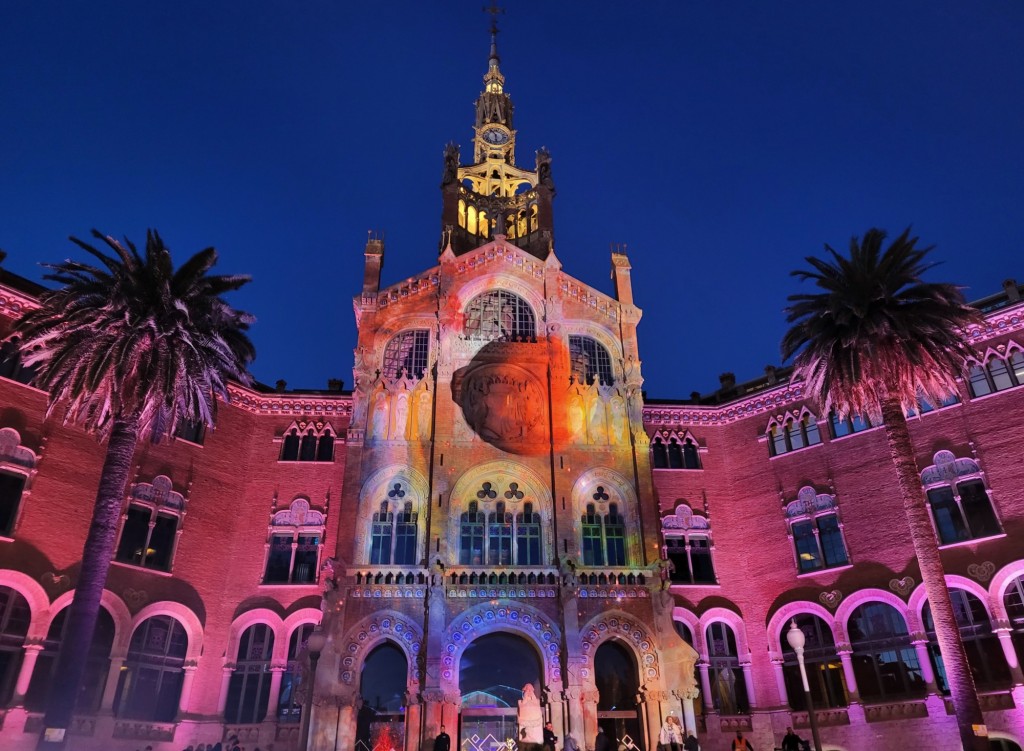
873,343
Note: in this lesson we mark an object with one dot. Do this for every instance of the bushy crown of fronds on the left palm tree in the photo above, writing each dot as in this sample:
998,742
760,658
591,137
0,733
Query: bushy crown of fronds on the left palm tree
133,337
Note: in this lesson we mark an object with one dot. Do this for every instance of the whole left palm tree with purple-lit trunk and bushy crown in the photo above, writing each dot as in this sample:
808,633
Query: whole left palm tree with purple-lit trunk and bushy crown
125,349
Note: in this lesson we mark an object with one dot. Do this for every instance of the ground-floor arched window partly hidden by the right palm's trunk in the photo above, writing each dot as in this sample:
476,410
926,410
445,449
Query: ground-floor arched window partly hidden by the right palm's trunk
985,655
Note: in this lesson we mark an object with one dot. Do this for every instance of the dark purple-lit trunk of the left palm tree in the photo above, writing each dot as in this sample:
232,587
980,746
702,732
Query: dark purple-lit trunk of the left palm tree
97,557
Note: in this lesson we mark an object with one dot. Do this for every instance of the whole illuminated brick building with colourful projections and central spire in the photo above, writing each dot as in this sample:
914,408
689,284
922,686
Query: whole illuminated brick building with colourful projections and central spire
495,491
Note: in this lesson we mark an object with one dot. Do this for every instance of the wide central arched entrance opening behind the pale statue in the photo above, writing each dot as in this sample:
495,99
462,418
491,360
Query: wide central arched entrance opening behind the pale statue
492,675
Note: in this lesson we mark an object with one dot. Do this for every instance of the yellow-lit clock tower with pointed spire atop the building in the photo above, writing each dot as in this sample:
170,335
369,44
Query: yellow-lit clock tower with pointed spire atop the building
494,196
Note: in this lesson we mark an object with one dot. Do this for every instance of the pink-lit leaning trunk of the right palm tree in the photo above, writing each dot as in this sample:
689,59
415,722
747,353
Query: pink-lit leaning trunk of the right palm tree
965,696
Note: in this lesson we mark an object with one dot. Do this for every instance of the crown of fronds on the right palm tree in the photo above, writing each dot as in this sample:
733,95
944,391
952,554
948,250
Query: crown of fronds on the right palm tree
877,328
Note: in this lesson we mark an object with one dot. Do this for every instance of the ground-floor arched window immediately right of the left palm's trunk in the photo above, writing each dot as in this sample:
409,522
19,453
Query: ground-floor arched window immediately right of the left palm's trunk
150,688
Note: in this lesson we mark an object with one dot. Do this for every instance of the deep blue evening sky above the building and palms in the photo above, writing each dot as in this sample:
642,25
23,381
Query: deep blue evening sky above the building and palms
722,142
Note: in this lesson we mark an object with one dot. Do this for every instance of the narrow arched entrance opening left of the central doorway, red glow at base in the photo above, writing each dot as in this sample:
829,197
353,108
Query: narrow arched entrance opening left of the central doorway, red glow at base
381,723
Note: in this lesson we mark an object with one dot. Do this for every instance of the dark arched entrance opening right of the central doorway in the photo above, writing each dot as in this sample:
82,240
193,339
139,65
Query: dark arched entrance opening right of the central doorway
616,677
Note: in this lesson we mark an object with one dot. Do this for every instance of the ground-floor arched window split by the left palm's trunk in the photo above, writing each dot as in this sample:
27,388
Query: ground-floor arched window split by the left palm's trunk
97,667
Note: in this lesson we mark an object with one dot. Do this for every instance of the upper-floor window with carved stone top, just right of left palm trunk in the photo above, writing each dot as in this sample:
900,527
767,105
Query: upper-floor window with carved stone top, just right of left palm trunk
150,532
